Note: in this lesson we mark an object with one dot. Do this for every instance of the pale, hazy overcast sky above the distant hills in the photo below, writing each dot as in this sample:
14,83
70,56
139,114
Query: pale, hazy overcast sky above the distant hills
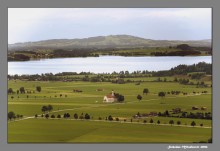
34,24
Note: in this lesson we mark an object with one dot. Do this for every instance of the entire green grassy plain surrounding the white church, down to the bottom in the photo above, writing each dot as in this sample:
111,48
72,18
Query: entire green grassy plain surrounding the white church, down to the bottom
90,101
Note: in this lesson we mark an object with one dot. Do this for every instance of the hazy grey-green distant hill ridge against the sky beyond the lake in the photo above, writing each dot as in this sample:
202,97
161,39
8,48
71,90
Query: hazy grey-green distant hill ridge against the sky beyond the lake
100,42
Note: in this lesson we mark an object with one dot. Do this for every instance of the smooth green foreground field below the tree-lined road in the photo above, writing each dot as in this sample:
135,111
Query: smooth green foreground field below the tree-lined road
41,130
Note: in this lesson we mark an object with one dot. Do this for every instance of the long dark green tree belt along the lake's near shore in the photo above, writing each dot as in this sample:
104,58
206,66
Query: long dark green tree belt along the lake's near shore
195,71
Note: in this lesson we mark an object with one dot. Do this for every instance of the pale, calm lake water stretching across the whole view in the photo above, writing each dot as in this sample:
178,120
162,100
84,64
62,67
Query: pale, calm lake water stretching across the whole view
101,64
